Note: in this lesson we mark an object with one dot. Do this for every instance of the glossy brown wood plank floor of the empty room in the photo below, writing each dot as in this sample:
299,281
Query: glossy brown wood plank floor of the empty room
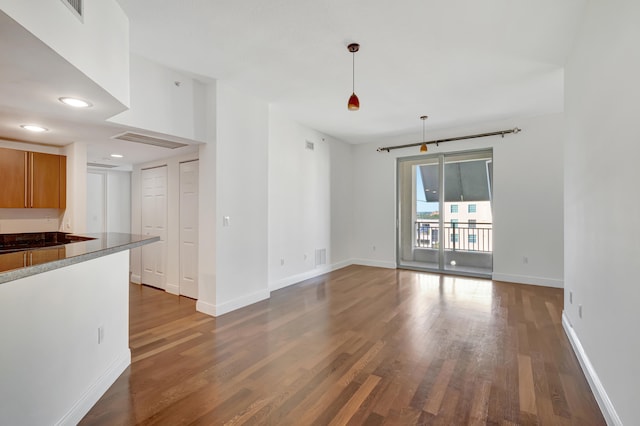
360,345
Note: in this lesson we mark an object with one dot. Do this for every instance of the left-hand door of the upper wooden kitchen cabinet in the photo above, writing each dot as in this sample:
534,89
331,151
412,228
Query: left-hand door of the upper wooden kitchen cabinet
13,178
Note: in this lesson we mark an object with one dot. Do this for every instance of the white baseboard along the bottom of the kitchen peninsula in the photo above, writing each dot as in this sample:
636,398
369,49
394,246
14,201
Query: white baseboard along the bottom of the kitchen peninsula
96,390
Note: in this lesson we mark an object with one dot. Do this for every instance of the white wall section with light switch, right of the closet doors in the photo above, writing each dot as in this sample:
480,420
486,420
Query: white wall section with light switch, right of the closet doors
241,194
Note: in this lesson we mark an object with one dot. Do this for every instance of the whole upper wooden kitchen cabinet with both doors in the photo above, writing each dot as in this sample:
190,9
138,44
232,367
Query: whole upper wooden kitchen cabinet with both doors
32,179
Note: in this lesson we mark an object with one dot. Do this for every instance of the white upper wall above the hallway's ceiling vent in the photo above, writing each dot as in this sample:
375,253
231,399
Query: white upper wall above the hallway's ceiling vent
163,100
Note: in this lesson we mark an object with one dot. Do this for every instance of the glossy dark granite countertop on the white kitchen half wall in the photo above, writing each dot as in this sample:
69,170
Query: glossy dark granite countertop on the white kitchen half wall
26,262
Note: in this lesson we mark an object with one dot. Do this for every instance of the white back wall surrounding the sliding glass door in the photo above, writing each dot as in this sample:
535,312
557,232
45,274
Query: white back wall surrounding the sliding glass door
527,198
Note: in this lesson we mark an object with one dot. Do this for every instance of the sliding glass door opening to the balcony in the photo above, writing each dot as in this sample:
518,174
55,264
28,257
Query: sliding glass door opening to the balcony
444,213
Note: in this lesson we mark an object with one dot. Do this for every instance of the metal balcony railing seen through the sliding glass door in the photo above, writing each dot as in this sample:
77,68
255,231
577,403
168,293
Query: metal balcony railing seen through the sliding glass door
463,236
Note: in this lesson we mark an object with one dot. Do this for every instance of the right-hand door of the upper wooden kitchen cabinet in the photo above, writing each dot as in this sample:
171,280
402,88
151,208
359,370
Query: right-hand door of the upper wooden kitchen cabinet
45,180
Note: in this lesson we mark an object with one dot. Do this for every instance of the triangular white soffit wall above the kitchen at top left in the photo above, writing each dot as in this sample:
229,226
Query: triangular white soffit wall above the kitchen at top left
98,46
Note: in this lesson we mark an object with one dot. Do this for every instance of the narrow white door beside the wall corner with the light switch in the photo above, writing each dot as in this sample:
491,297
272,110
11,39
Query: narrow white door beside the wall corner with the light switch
189,229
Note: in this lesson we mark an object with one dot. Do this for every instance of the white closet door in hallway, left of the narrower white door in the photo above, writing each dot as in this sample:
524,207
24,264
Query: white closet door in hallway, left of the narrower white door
154,222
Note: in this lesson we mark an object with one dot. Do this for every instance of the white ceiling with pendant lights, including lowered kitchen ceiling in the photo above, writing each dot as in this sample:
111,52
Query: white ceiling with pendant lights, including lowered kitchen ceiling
459,61
